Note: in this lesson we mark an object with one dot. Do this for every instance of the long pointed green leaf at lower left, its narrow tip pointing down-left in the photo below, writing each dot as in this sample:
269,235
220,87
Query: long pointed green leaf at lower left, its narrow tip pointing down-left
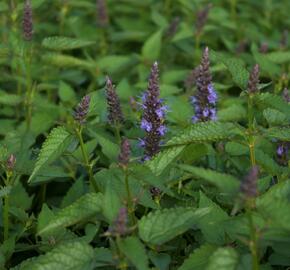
84,208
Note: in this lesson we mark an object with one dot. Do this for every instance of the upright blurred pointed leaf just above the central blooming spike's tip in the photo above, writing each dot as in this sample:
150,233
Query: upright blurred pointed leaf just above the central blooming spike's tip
152,47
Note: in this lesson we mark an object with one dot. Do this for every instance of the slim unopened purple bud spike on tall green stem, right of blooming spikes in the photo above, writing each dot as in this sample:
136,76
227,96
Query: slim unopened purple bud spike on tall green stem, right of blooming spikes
252,90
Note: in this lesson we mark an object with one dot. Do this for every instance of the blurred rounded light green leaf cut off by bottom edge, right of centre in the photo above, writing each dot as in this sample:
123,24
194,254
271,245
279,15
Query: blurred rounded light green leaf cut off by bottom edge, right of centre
224,258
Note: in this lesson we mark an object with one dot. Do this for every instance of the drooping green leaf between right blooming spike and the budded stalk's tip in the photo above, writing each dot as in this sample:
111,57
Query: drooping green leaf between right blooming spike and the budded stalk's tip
236,67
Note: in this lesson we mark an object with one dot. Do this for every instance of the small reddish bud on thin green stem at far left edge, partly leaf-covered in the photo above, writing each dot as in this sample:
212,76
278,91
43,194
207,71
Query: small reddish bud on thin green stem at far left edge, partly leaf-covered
10,164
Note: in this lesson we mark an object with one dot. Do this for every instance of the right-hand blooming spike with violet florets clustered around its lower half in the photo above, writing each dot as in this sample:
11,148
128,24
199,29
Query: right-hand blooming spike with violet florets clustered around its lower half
205,99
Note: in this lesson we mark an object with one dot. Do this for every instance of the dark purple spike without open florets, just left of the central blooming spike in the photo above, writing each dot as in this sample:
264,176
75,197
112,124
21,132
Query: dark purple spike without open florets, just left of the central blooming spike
115,115
